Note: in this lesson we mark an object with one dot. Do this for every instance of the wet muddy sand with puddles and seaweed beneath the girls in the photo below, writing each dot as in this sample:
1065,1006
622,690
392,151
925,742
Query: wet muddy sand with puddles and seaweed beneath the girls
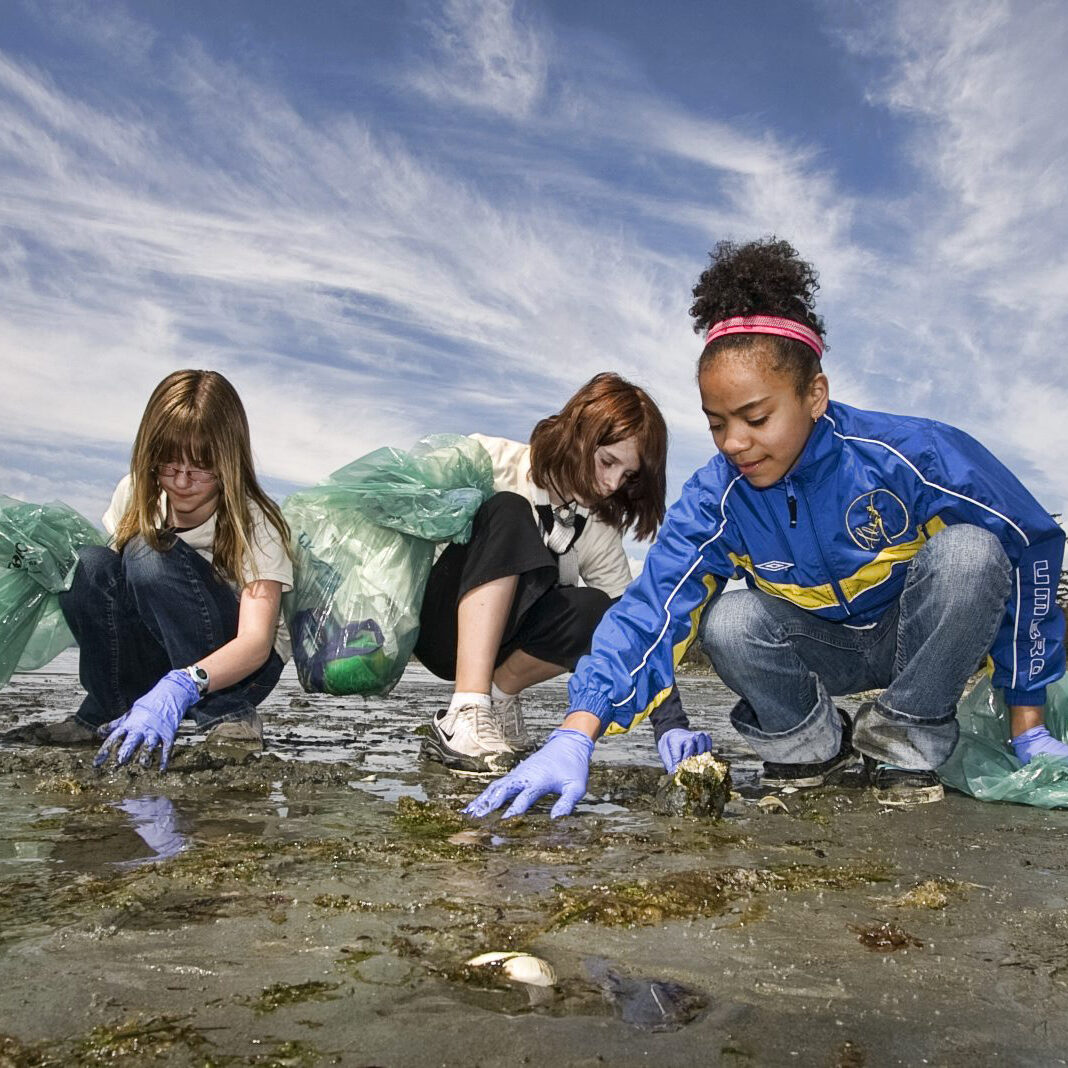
316,905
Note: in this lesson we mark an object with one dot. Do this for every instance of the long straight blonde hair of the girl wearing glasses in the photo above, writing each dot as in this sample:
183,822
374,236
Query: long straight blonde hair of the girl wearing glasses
197,418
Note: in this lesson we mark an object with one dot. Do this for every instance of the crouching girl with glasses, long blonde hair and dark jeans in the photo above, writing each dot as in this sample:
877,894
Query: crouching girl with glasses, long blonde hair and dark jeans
182,614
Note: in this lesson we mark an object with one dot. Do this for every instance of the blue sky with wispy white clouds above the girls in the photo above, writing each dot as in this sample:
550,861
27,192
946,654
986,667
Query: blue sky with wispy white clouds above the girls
388,219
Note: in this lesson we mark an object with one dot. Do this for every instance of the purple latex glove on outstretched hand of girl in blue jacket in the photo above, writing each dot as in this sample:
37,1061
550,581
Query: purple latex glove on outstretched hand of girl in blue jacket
561,766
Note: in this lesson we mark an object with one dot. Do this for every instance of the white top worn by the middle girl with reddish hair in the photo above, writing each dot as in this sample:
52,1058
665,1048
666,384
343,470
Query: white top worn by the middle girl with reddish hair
598,556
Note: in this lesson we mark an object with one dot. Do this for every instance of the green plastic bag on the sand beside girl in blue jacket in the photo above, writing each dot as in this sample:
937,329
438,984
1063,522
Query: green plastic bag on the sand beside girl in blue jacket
984,765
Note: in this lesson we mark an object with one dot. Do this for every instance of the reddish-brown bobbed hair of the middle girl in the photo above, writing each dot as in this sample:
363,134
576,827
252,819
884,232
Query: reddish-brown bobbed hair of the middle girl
606,411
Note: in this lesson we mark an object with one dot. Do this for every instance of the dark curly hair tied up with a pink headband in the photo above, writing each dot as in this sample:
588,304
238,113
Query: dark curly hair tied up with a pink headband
765,277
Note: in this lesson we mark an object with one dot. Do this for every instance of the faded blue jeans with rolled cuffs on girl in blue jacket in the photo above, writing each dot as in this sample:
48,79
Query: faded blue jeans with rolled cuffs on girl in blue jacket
787,665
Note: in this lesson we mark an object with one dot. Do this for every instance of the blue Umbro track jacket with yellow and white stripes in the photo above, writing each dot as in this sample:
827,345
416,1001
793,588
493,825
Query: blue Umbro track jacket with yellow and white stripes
868,492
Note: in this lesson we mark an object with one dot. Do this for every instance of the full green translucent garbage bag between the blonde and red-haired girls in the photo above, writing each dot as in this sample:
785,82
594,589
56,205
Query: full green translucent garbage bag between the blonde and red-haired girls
364,543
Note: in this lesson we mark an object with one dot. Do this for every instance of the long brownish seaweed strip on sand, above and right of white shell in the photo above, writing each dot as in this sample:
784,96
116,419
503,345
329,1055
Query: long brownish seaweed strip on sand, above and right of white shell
687,894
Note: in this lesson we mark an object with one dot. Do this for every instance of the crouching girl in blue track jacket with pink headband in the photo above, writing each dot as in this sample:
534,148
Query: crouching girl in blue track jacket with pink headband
881,553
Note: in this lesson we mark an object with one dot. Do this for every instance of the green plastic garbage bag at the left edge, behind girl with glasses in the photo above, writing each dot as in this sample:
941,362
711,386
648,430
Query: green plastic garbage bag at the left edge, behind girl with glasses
39,549
